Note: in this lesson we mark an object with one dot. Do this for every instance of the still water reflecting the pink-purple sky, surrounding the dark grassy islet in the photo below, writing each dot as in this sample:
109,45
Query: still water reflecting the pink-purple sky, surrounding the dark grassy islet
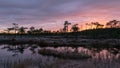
27,56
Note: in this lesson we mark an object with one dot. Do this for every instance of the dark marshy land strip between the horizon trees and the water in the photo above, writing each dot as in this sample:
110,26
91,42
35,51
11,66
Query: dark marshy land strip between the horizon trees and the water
108,37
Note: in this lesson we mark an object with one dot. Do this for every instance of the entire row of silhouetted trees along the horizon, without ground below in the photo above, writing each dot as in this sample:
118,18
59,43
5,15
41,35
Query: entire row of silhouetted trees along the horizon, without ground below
74,28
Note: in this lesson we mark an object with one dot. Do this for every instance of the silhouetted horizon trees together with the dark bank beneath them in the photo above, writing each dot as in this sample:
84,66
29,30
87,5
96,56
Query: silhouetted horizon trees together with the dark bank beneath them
93,30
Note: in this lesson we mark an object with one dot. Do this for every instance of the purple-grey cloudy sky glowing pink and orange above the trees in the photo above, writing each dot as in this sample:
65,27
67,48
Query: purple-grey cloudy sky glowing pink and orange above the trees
51,14
